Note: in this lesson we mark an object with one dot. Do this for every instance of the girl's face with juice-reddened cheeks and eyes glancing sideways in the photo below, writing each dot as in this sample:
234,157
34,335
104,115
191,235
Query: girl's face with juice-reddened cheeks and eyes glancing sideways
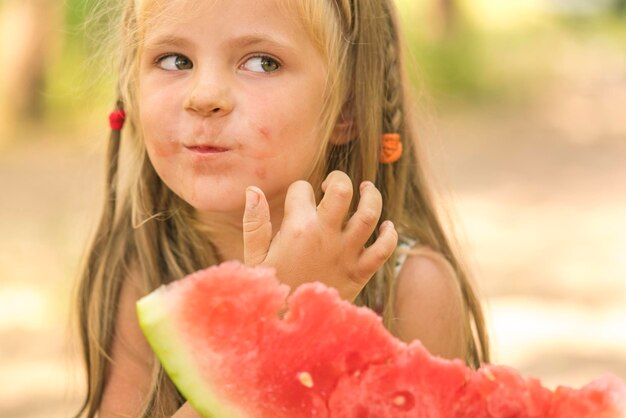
230,95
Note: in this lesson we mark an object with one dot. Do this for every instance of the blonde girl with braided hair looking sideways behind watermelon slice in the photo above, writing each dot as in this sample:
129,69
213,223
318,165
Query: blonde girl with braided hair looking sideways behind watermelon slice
248,124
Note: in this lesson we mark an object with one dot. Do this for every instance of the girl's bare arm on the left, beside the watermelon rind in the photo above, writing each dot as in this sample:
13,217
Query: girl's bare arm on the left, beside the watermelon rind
129,379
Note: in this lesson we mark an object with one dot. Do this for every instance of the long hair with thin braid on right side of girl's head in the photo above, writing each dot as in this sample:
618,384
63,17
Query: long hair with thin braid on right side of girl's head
378,103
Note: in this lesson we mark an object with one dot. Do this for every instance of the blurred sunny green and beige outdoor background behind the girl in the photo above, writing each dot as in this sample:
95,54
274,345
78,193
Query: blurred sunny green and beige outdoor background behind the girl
521,106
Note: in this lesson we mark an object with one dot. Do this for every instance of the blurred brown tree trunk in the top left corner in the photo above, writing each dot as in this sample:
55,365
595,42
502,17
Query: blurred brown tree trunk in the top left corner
29,35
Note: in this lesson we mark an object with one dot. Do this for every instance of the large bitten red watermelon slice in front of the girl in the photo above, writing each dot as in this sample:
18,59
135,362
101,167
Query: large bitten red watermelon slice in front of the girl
236,346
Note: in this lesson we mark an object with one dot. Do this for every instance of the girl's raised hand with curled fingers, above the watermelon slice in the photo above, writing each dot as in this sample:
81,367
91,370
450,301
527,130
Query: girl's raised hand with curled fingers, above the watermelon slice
315,243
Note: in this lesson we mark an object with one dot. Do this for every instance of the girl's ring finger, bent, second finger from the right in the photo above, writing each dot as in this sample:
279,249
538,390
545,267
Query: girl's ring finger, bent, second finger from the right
363,223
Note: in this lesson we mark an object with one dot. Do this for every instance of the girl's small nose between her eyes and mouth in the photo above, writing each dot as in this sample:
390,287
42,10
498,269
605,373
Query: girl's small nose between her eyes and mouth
209,95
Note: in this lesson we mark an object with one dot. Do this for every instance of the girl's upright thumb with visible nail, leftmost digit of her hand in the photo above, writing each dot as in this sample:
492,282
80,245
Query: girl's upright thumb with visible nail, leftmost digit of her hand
257,227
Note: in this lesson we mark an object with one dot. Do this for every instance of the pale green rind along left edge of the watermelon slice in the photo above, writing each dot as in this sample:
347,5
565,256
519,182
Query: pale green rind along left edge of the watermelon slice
157,322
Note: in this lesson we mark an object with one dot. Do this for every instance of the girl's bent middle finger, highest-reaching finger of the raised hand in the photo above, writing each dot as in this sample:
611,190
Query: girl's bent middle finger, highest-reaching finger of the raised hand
335,204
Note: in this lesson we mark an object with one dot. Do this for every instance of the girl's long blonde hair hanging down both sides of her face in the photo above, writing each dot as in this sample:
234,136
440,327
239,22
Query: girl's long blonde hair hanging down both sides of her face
147,229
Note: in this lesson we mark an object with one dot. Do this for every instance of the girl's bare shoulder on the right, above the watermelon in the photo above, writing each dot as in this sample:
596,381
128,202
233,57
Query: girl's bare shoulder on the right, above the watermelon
429,304
